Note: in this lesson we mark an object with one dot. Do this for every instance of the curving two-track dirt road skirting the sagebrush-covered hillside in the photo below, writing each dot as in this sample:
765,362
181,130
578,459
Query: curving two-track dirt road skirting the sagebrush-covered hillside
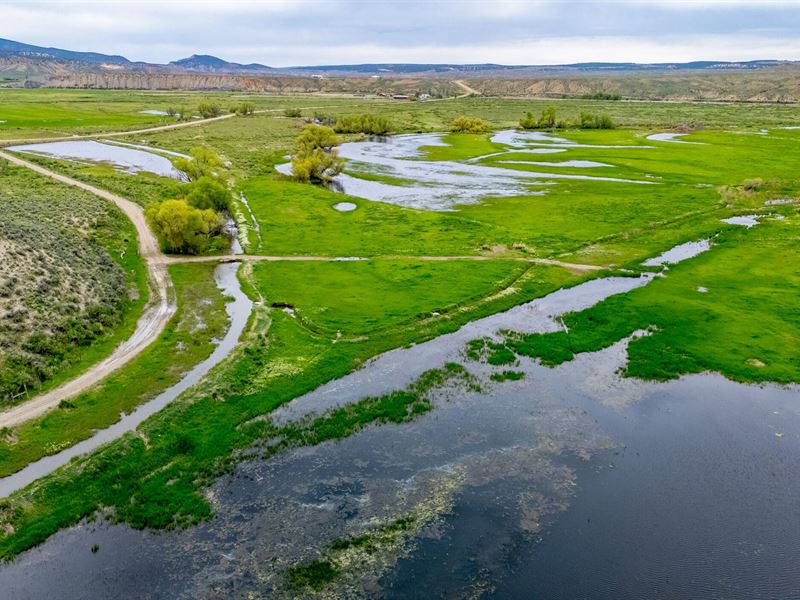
158,311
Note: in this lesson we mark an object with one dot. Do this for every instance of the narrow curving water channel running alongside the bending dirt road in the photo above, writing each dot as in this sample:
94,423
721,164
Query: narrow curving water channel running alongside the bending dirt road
238,313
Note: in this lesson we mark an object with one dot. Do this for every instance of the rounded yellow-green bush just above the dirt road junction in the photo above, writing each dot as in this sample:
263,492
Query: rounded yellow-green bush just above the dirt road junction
182,228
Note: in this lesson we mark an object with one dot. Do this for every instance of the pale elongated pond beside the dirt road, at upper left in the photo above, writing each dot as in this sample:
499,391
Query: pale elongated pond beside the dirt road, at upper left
123,158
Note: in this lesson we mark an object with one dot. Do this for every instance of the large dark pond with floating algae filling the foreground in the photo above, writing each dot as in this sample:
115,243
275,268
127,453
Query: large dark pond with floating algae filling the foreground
568,483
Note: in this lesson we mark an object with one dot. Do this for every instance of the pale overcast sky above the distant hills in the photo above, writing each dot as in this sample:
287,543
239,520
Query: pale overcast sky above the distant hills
324,32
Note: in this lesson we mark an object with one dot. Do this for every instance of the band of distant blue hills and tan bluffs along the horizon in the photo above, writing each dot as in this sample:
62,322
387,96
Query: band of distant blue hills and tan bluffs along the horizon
35,66
